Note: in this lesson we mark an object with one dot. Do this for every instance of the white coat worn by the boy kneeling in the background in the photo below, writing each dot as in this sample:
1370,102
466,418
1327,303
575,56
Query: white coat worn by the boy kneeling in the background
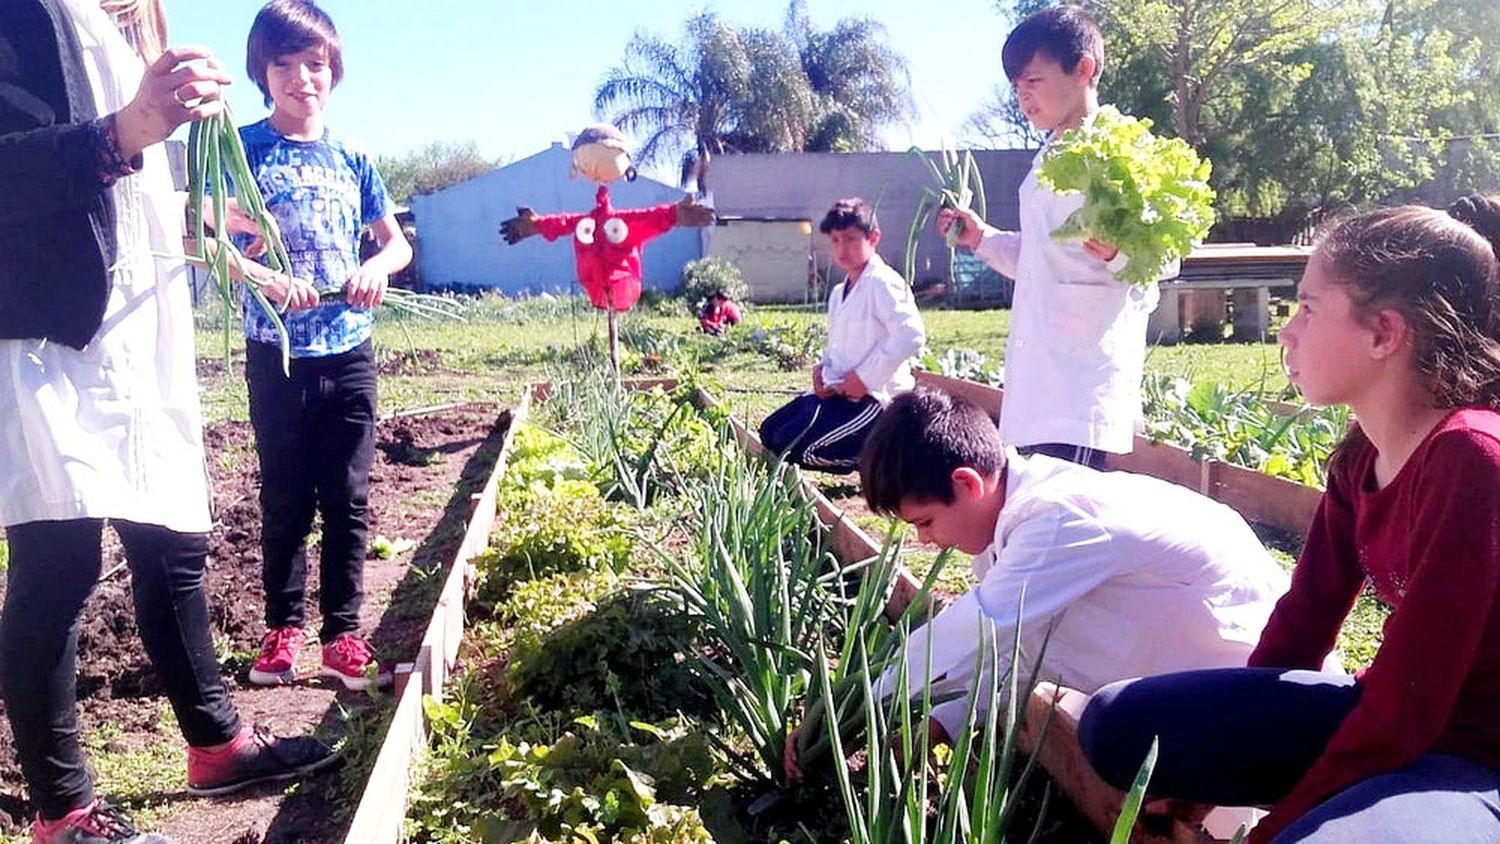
875,332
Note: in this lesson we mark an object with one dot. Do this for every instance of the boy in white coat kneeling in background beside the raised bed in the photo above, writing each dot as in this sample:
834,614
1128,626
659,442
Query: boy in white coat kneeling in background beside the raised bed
874,332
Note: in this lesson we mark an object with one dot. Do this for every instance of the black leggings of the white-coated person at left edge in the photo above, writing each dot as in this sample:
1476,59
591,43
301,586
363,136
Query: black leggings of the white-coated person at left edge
55,567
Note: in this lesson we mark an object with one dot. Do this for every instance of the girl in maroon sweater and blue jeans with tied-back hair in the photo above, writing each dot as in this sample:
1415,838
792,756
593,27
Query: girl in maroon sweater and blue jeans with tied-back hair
1400,320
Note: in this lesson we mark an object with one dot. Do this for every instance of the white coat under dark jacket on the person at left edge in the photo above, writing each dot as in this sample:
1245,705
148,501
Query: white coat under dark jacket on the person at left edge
113,431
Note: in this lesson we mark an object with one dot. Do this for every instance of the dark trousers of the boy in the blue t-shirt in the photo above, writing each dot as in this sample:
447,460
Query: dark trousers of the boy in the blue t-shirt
316,437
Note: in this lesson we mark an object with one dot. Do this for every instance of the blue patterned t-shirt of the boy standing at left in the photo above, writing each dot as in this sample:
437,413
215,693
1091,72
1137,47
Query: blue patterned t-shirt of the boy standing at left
322,194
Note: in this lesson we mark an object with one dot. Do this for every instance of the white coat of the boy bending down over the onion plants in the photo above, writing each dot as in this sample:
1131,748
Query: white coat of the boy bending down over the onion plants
1135,576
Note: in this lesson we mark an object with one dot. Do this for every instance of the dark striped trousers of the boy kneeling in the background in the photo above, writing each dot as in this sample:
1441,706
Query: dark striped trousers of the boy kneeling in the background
821,434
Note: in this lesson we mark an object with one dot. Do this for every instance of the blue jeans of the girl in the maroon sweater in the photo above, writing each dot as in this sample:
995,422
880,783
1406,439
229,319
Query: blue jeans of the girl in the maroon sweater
1246,737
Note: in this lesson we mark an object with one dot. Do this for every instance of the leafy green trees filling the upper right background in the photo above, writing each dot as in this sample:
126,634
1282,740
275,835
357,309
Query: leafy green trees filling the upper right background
1313,104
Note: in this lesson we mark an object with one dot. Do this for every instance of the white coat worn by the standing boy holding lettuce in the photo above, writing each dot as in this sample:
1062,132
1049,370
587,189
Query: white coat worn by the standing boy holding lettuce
1078,343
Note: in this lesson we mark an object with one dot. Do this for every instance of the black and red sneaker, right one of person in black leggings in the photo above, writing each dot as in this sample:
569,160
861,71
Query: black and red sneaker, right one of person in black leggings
254,756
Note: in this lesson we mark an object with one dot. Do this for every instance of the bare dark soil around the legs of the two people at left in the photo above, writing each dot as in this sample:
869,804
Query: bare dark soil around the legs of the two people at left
427,467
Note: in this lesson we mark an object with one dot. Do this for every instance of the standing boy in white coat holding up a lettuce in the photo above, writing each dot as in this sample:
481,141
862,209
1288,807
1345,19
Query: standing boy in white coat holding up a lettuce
1078,343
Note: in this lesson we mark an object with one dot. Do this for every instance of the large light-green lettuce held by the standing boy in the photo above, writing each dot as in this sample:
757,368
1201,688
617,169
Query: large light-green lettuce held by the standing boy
1147,196
